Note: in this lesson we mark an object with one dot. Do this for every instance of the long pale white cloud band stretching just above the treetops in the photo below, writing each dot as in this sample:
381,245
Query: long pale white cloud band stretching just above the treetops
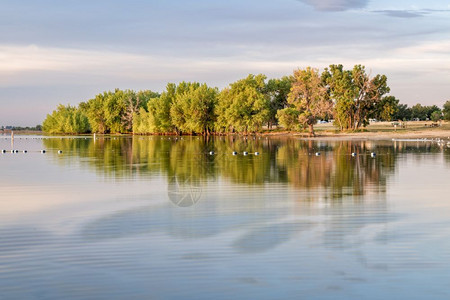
33,65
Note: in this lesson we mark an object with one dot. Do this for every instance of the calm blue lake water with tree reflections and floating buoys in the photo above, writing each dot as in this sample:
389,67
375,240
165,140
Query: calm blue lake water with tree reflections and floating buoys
161,218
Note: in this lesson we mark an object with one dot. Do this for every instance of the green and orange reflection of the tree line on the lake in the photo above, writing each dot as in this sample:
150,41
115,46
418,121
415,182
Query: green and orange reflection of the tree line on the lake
187,165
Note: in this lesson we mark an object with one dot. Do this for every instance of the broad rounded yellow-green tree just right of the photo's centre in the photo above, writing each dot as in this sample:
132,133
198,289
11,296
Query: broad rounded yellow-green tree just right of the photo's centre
243,107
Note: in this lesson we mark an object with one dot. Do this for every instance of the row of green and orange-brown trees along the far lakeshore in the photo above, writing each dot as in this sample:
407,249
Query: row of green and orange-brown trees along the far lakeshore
349,97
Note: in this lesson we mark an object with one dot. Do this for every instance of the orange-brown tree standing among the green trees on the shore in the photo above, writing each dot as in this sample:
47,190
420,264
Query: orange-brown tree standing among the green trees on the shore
308,96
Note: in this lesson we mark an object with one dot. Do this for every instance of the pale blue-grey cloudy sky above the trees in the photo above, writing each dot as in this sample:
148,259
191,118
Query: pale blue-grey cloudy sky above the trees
54,51
